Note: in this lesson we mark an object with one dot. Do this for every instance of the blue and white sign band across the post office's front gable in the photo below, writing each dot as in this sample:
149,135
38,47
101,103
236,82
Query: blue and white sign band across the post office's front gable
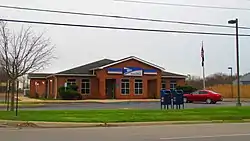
132,71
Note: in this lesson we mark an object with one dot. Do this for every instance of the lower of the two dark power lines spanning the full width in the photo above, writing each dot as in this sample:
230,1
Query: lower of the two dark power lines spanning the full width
122,28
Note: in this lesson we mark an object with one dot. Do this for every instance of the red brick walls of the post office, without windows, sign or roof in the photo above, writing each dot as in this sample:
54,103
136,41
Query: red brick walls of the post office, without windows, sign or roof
98,86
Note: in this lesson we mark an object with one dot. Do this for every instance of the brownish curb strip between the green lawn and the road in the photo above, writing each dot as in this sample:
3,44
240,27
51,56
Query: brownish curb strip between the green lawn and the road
35,124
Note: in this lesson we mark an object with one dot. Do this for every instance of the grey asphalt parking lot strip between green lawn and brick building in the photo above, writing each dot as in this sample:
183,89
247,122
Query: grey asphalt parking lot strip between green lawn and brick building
133,105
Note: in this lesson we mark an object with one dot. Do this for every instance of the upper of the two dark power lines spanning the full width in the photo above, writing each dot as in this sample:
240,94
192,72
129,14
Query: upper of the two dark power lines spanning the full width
119,17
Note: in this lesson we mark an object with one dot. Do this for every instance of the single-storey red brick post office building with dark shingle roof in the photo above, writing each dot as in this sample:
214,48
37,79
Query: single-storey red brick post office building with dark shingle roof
127,78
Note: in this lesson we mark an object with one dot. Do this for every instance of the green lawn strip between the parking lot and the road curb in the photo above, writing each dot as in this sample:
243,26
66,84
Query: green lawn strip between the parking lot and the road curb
226,113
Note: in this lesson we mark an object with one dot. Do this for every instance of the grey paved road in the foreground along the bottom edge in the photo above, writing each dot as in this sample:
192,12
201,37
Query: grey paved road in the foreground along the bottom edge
208,132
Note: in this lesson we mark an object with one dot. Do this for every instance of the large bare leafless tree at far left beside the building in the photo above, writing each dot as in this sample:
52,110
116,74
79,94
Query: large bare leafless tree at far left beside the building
22,52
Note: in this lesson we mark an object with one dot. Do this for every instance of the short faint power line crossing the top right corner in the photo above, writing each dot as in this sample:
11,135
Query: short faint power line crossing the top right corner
184,5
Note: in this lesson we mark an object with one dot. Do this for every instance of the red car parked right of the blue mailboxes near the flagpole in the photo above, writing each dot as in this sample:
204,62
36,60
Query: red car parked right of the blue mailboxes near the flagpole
208,96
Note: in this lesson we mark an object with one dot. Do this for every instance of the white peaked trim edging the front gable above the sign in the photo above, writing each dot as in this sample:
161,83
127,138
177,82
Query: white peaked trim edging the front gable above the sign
129,58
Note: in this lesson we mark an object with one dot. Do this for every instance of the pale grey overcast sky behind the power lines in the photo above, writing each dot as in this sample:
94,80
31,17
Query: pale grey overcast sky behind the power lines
178,53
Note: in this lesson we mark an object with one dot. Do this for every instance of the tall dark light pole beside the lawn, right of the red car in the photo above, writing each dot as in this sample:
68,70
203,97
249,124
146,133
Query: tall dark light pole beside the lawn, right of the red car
237,58
